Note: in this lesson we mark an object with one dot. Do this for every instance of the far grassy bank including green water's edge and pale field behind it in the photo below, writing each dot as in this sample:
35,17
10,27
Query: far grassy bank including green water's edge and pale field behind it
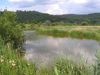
88,32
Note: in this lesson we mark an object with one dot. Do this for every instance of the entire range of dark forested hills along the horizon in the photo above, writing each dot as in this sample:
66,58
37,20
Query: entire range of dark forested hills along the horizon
36,17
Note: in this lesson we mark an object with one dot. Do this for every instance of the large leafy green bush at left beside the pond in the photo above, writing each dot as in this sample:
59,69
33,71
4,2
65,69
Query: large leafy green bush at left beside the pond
9,30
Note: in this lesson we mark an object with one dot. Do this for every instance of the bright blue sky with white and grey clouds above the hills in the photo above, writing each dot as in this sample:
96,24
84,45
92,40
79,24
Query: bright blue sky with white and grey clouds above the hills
54,7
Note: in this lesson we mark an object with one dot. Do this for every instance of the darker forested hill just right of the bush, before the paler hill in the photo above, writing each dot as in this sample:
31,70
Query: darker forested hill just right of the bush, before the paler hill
34,16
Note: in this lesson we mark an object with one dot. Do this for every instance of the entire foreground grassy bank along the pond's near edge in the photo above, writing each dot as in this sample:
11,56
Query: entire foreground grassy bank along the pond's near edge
11,63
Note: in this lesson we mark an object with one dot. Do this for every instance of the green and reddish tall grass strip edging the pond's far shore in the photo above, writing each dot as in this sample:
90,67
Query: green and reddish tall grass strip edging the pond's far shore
71,33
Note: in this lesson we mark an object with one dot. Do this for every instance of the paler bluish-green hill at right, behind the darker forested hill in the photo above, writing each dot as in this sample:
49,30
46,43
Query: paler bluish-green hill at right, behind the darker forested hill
93,18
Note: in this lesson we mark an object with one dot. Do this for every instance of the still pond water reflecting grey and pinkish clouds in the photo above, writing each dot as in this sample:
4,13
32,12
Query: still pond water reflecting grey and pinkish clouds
43,49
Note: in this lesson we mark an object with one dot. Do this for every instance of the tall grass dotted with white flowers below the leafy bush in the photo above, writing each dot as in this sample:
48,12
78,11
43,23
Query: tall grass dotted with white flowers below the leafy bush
12,64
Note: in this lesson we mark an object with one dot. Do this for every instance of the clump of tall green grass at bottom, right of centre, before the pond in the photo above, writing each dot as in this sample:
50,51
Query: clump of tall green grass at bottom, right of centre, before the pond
65,66
